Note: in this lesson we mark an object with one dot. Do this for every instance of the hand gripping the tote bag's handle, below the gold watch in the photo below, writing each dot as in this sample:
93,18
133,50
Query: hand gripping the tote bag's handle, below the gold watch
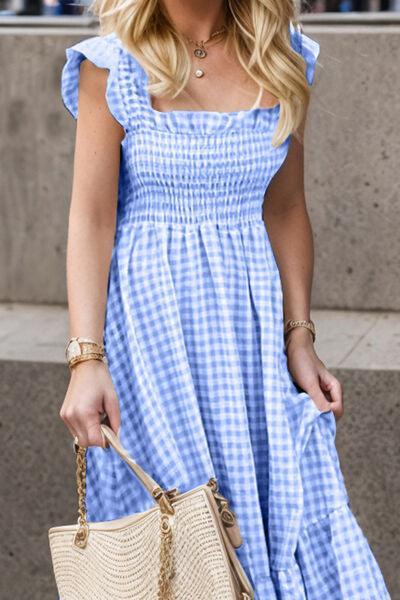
90,394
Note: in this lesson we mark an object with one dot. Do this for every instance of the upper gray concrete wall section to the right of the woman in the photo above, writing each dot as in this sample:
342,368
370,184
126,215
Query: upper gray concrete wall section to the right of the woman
353,174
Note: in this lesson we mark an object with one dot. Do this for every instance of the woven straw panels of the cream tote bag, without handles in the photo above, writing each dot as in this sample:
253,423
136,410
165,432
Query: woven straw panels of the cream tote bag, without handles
124,563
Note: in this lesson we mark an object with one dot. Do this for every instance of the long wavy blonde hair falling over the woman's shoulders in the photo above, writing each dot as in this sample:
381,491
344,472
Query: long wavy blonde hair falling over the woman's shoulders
257,29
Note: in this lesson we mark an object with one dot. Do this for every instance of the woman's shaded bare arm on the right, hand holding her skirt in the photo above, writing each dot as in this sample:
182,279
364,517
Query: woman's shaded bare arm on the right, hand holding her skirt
289,229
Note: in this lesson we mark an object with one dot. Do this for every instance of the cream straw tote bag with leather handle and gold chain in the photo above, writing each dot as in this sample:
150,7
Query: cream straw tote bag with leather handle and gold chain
182,548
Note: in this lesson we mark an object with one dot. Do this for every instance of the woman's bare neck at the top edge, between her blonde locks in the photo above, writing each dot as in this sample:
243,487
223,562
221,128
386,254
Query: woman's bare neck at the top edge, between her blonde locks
196,19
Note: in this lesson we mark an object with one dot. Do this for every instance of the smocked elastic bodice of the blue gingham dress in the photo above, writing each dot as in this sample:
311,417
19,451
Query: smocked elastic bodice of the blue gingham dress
192,177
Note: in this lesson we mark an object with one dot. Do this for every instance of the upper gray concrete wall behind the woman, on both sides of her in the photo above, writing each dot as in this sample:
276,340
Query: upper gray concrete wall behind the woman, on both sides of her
352,165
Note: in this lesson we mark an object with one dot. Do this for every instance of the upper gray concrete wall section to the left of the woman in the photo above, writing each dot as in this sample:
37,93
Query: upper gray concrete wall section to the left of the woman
36,149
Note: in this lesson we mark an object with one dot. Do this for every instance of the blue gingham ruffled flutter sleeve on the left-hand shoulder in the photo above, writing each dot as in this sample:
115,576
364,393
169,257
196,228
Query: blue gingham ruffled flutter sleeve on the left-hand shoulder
103,52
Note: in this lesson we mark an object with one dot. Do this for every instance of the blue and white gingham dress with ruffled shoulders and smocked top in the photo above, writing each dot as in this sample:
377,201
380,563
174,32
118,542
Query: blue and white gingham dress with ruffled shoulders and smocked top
194,339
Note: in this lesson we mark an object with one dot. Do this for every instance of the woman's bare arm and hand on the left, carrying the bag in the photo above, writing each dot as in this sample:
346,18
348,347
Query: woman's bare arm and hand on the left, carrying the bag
91,230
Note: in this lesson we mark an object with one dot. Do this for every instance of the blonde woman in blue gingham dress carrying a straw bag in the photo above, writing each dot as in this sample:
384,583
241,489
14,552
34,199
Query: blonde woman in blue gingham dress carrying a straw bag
189,250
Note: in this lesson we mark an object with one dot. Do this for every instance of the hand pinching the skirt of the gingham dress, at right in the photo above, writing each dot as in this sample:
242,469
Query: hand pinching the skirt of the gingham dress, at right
310,373
